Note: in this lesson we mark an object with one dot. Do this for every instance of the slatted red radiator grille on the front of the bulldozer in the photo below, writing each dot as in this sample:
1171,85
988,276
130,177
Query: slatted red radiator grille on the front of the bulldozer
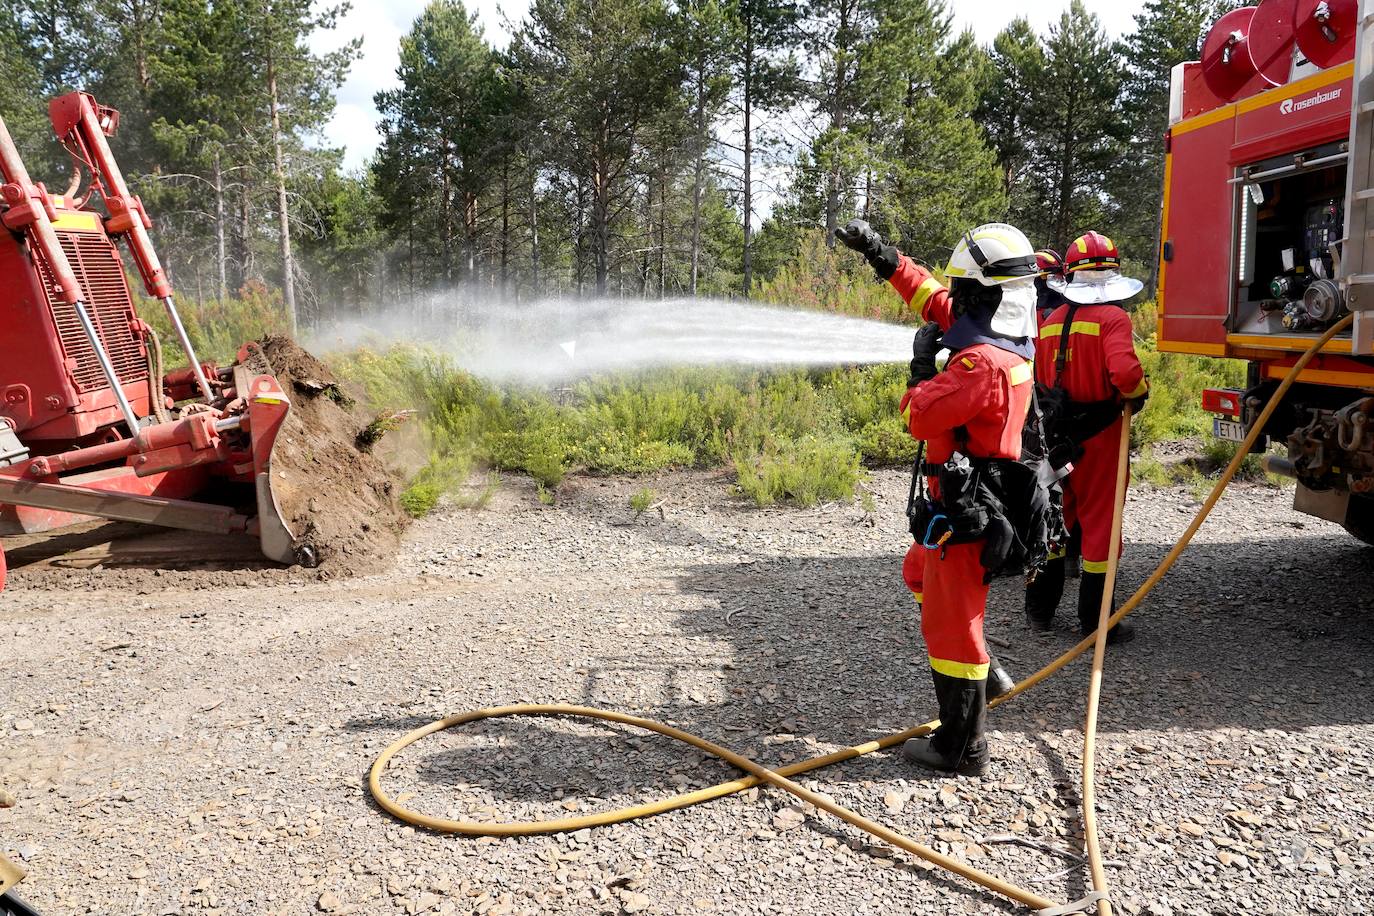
106,296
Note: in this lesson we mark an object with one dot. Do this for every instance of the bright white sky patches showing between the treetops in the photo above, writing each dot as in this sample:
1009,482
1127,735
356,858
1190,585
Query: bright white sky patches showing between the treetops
383,23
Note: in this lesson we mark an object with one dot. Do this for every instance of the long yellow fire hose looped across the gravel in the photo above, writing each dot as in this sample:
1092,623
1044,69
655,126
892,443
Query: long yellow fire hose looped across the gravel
759,775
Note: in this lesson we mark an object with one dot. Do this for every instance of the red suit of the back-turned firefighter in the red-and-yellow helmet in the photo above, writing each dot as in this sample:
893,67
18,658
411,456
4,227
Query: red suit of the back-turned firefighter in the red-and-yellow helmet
1101,366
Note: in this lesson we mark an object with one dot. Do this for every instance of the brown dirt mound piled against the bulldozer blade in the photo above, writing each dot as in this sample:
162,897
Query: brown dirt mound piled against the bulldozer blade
340,501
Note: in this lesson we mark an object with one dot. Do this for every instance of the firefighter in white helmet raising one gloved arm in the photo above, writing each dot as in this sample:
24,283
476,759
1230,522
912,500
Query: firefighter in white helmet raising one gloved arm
976,407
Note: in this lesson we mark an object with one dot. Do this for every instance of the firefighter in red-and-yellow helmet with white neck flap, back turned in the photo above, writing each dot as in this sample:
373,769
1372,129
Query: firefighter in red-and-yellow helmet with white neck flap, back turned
1101,373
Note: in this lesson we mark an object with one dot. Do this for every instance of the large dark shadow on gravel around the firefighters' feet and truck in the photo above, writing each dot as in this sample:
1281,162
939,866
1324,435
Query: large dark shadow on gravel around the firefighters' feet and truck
1239,634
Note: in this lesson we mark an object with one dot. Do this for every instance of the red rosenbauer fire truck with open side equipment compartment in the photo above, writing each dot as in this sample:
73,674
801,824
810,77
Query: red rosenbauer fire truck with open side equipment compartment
1268,237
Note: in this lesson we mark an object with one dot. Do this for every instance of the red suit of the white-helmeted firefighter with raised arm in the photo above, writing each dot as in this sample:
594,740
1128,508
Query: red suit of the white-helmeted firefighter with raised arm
984,393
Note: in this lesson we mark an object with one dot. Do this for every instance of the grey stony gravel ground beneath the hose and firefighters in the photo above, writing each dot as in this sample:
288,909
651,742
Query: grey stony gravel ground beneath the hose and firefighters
182,745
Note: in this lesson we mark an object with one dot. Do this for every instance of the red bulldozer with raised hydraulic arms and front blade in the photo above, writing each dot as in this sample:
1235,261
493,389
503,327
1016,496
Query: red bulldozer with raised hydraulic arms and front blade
91,426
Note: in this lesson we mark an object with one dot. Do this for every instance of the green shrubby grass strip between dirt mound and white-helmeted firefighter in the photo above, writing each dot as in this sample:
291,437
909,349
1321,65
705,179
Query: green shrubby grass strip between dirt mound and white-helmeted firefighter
792,436
